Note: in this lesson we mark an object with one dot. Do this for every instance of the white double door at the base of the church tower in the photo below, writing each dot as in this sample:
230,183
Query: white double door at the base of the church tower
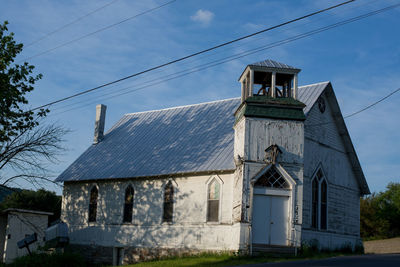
270,220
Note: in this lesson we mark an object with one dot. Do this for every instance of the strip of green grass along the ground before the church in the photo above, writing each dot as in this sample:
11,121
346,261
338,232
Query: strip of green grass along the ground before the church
230,260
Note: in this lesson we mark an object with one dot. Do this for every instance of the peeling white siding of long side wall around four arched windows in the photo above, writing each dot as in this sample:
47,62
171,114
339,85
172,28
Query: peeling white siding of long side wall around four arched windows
189,227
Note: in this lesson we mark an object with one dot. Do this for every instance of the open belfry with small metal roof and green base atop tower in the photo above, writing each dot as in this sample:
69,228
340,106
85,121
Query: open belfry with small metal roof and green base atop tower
269,90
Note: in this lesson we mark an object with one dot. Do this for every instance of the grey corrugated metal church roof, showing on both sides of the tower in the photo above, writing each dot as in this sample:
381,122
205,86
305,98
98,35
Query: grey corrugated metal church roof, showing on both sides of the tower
195,138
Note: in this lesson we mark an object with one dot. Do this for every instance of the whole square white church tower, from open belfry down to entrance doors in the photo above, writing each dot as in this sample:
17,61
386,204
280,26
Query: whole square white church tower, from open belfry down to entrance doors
269,143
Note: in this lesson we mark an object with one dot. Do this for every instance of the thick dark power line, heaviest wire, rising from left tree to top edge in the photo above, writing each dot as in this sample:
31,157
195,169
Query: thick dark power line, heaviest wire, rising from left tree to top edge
194,54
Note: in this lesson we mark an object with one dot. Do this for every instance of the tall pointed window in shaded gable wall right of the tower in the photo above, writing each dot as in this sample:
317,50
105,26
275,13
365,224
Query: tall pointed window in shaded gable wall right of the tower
319,200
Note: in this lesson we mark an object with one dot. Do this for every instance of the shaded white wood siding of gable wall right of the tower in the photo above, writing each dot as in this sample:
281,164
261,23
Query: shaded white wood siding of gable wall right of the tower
324,147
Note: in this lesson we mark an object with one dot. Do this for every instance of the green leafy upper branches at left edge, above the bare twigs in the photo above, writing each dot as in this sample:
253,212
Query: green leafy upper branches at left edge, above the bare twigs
15,82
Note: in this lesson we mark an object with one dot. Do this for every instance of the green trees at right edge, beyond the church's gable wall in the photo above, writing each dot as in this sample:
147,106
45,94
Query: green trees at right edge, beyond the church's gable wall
380,214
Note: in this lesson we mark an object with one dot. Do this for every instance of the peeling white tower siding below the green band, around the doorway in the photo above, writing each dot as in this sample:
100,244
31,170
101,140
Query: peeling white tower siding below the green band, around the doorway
252,137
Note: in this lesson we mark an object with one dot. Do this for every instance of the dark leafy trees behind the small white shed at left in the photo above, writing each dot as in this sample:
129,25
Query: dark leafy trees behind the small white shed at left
41,200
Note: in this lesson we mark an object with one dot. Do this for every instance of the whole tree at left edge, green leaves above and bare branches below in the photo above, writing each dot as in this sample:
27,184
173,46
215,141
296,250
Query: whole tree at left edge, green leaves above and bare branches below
23,143
